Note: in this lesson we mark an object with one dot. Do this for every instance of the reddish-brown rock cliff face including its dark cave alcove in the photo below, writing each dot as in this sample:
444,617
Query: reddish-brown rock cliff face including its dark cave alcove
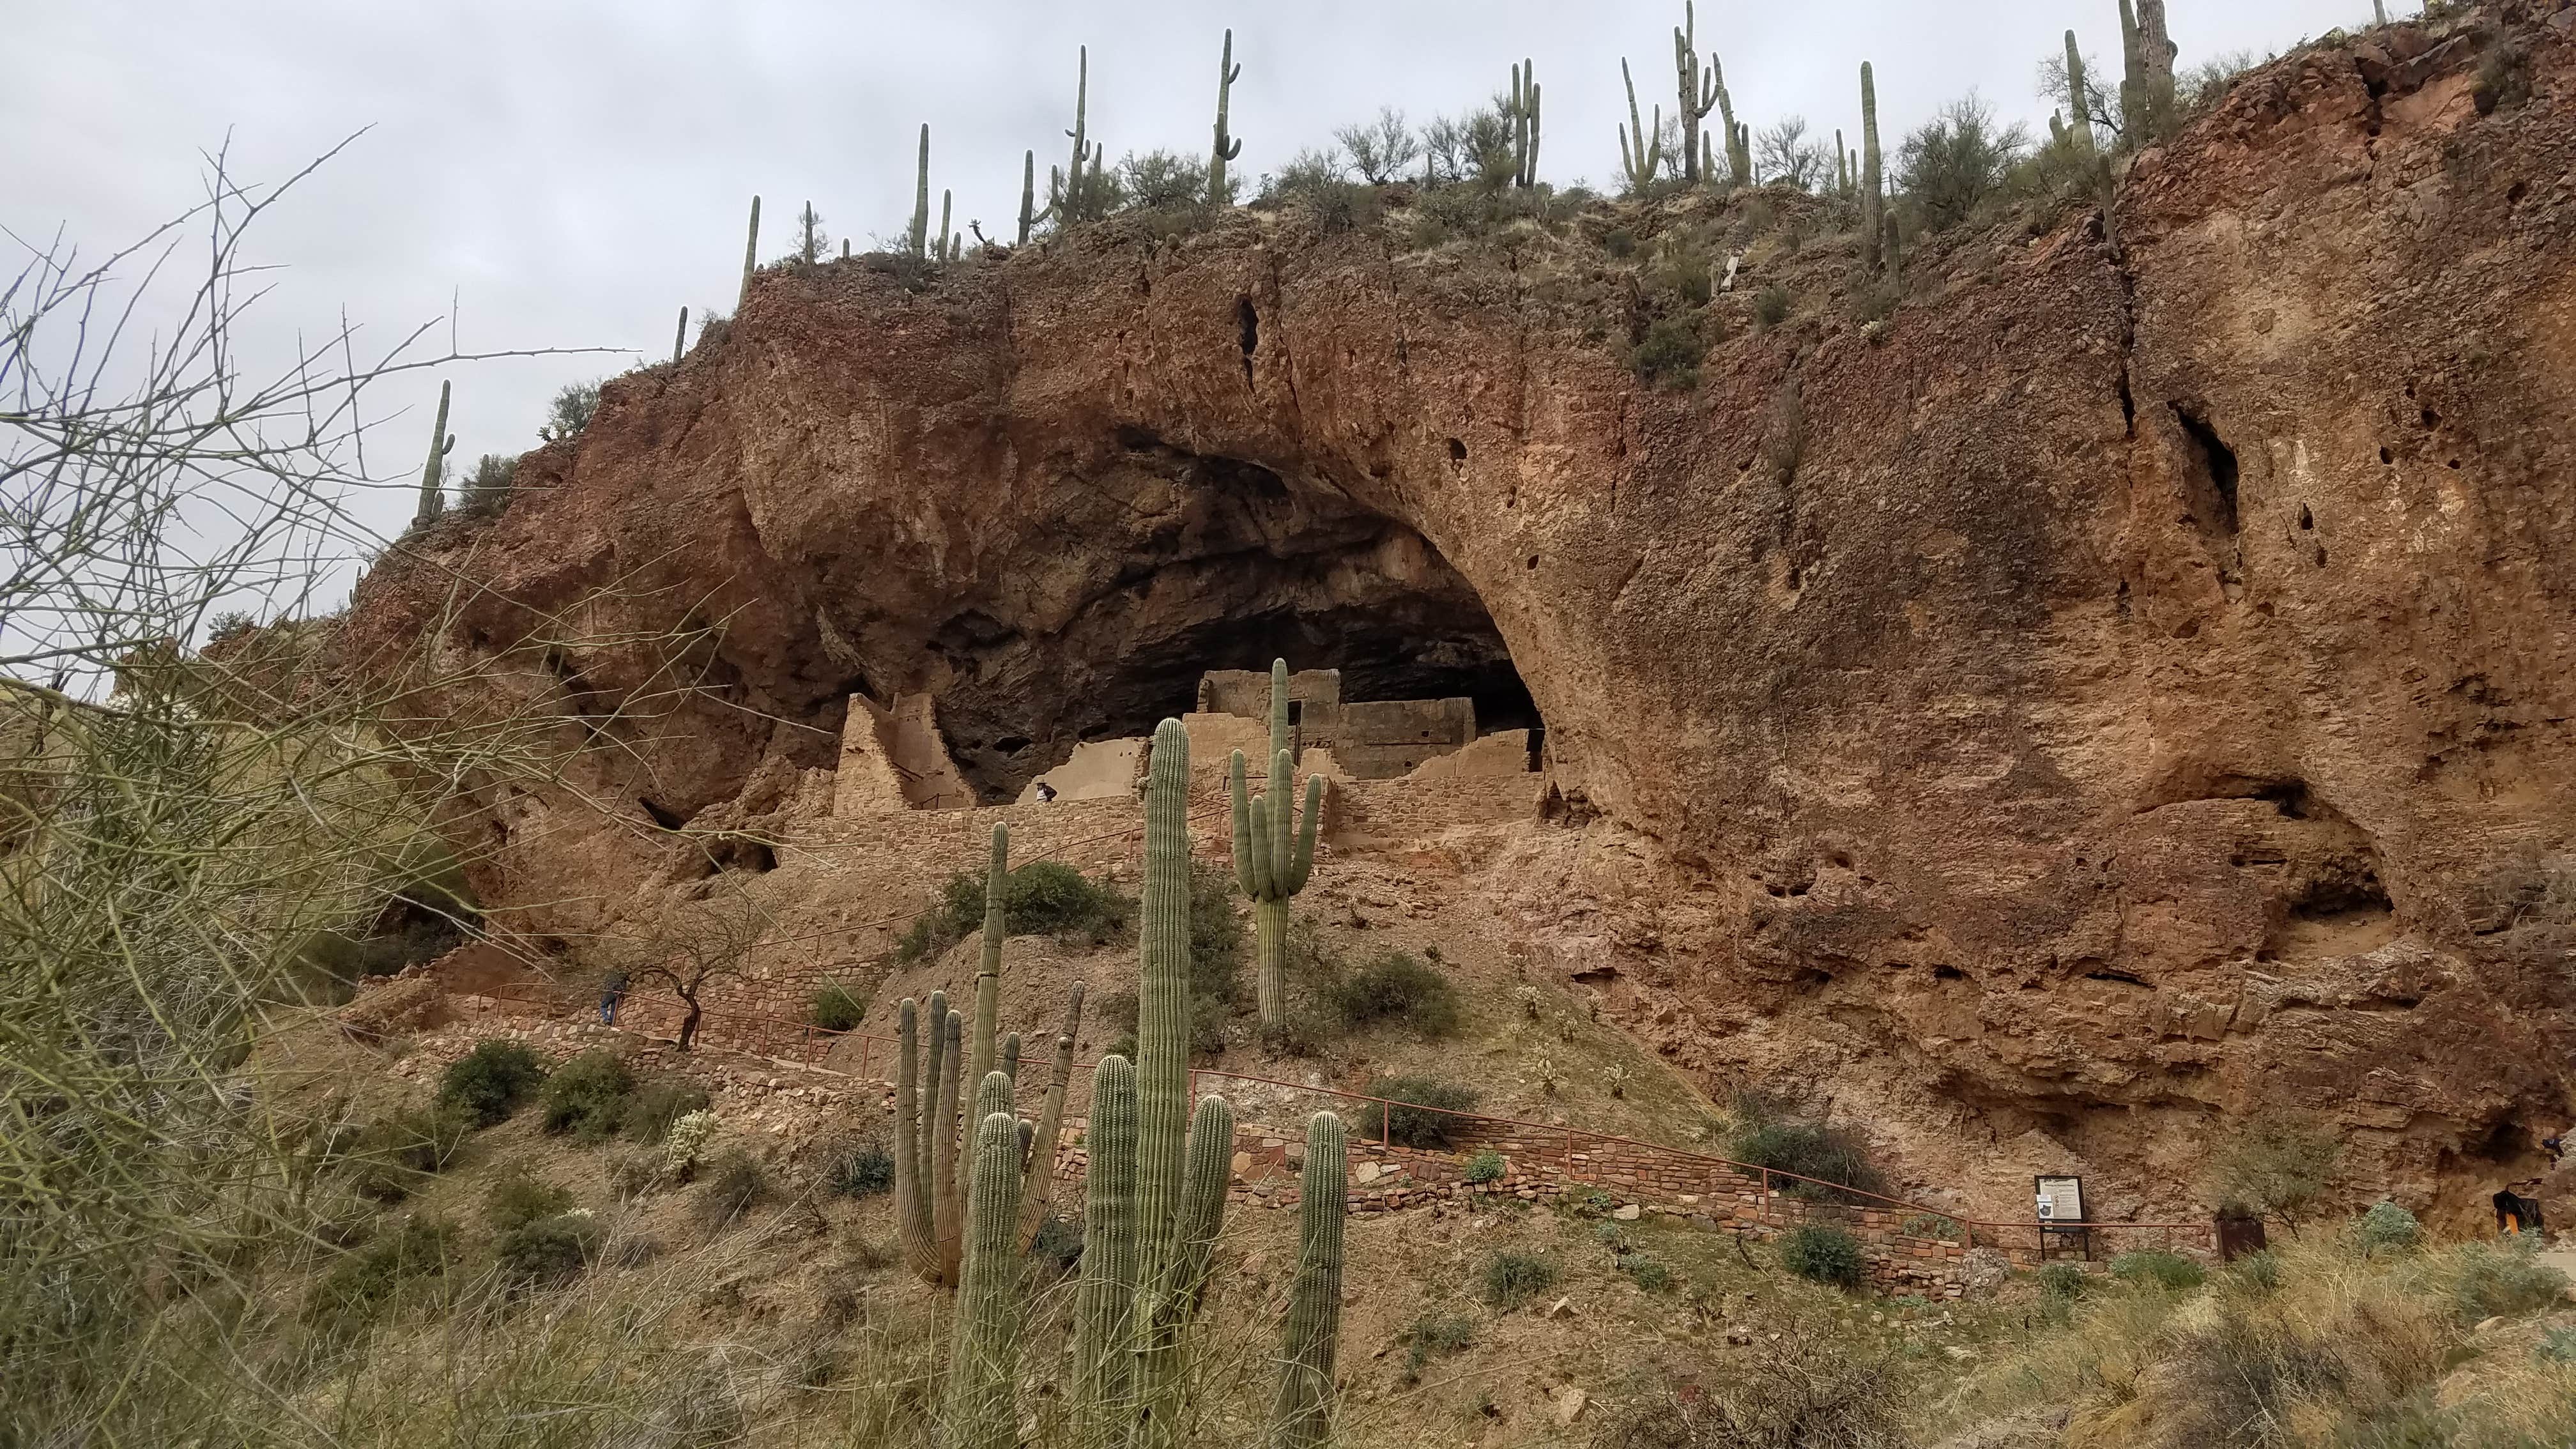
2132,685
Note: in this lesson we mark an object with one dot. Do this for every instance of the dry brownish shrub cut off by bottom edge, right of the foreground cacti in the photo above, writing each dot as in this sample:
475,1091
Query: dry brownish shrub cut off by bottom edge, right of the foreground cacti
1794,1394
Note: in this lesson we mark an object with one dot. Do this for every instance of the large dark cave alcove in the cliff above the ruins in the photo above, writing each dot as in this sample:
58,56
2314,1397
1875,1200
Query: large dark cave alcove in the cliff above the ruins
1158,566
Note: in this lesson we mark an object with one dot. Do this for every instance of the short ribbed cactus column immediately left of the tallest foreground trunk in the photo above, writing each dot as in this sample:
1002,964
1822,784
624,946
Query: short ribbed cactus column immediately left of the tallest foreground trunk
1106,1301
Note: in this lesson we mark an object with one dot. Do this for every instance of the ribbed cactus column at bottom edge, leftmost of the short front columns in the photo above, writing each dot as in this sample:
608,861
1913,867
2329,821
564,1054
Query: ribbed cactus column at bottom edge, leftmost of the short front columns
983,1406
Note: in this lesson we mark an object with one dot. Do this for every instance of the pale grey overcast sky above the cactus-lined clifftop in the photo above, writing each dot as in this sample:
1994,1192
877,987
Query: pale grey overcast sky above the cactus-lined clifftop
576,171
